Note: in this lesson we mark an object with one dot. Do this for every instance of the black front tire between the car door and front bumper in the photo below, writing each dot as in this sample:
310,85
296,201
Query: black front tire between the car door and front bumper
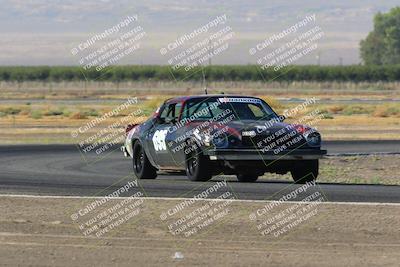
198,167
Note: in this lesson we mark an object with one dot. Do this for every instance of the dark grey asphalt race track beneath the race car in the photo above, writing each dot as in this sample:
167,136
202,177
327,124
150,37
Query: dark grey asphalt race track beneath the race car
62,170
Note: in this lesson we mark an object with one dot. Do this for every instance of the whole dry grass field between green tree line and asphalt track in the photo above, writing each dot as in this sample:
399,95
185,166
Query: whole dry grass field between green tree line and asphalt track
341,121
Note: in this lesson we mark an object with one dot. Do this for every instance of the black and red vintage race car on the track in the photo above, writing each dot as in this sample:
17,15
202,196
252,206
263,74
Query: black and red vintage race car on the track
207,135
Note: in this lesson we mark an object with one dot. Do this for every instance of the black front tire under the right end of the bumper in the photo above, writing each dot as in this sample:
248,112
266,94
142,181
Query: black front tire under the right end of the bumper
305,171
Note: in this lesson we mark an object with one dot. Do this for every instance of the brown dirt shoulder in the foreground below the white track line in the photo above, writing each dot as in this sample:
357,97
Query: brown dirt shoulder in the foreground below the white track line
37,231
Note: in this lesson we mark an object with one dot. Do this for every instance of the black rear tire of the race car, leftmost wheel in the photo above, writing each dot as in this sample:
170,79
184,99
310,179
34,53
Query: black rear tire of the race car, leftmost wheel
141,164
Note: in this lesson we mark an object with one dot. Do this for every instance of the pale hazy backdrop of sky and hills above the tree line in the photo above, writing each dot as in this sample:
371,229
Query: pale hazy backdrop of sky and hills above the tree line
43,32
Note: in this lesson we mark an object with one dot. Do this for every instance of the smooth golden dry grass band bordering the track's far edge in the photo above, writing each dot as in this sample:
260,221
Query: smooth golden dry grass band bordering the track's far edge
24,129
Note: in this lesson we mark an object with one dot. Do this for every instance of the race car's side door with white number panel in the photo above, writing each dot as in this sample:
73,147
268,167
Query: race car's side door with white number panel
162,134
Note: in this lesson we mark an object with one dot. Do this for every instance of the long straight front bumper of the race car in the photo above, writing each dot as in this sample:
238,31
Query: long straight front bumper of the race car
253,154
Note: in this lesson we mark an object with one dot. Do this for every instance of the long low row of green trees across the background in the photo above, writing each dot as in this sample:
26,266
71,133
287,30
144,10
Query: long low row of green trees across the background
352,73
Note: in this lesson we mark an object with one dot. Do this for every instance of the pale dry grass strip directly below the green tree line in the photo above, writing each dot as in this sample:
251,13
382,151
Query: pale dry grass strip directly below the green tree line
99,90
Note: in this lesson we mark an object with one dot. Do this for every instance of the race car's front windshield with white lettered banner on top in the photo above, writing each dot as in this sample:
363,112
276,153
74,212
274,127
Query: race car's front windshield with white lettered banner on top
241,108
